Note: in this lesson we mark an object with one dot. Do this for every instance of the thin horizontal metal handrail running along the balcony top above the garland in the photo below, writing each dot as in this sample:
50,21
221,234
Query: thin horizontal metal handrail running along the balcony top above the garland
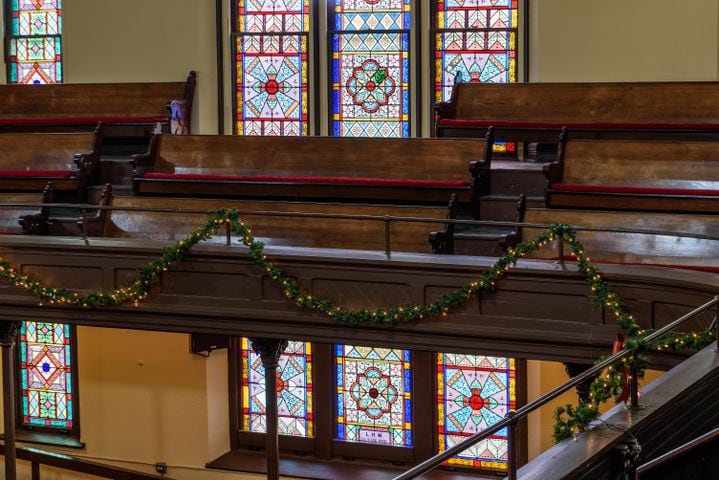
348,216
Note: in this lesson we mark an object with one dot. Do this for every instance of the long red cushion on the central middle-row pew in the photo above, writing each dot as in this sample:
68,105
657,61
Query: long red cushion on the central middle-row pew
382,182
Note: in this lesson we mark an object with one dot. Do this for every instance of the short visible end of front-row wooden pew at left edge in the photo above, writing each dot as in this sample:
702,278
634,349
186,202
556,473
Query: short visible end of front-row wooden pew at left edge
15,220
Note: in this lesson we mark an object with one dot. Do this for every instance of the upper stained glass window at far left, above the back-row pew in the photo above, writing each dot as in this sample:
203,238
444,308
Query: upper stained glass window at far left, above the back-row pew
34,45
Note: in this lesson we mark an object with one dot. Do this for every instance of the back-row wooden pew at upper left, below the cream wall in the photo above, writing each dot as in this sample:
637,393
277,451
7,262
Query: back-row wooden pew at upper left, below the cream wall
128,108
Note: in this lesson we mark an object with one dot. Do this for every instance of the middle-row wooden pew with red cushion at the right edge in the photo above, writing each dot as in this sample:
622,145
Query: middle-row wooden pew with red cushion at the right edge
653,175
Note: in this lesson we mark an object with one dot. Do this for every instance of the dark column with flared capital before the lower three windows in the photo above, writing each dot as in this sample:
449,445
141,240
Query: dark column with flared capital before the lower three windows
269,350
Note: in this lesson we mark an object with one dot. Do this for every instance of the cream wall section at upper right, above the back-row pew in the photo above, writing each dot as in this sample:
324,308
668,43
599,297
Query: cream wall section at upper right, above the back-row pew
617,40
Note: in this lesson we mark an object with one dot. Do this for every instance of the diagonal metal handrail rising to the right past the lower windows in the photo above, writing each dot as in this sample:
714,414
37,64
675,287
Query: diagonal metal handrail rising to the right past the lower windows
512,418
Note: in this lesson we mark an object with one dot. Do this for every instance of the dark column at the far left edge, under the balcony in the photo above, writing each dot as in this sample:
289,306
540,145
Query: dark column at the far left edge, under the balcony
8,337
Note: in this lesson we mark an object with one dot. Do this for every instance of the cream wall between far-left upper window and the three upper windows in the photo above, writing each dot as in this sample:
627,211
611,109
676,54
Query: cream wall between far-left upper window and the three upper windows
140,40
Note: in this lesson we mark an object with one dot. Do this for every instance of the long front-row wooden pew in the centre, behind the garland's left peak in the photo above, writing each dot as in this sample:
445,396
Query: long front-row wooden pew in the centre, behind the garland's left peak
300,231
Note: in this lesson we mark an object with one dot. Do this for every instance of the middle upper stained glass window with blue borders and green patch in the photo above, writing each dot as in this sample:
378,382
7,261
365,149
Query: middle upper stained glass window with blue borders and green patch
370,68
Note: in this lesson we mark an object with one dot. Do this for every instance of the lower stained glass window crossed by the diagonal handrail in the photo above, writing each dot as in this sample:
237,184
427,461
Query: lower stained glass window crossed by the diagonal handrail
474,392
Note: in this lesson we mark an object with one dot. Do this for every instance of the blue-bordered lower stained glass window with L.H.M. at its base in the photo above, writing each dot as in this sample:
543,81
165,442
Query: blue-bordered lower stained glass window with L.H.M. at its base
373,395
